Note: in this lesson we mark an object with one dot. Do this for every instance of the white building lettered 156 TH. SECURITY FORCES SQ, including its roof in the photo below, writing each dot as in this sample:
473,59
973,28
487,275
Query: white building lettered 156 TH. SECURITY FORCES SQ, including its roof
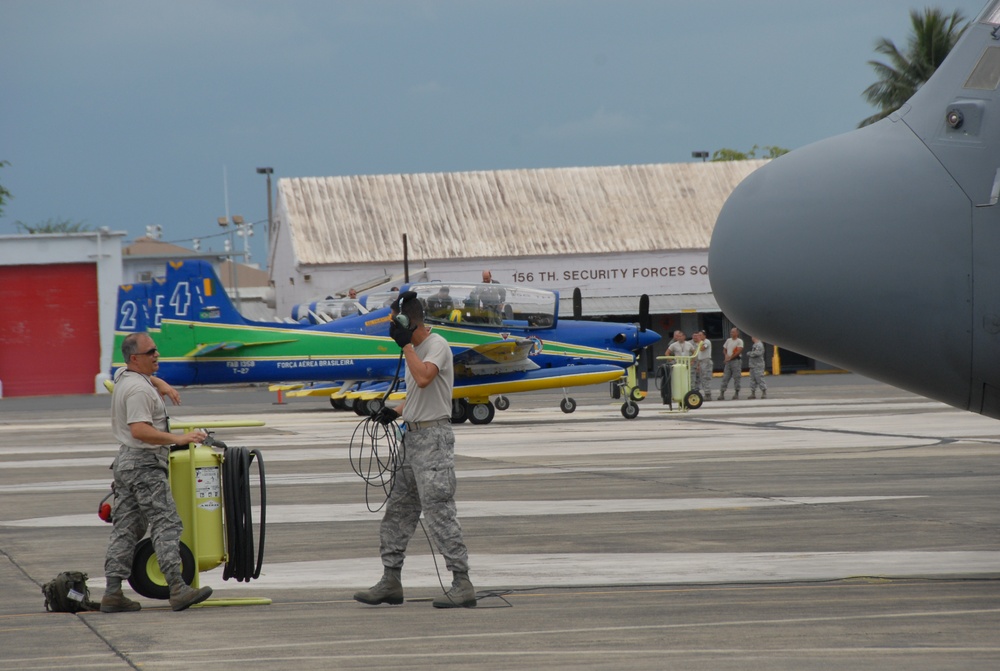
614,232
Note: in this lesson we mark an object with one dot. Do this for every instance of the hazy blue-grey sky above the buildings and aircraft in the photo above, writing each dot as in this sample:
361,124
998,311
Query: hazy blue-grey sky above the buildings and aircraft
127,113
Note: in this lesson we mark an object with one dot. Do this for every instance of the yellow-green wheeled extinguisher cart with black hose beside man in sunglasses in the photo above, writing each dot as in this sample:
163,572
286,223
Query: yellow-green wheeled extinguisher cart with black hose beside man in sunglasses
210,483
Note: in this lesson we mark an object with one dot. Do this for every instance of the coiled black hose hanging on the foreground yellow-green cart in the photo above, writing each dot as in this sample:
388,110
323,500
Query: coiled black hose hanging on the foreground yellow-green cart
238,515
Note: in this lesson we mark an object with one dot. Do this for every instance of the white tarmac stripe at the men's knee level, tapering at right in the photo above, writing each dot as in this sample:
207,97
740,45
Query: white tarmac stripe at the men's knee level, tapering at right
353,512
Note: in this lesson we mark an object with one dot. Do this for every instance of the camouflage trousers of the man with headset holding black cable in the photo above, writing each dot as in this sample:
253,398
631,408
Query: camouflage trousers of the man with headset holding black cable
425,482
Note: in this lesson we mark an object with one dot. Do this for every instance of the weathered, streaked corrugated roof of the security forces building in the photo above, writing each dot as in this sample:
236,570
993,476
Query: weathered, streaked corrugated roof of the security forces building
508,213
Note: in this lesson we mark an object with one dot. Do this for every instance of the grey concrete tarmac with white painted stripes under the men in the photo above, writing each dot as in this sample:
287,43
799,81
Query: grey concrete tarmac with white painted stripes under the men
839,524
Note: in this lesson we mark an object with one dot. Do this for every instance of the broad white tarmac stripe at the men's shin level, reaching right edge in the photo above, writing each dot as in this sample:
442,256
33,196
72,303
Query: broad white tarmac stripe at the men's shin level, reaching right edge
525,571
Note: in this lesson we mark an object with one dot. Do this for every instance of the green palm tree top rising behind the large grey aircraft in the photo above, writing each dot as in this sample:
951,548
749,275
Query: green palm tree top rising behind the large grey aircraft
934,35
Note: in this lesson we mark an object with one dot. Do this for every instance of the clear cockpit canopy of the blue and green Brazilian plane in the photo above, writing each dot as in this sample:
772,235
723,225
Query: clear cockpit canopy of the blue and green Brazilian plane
487,304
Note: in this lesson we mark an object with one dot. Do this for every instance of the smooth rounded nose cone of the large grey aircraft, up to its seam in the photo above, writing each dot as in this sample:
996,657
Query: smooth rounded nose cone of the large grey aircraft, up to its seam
837,249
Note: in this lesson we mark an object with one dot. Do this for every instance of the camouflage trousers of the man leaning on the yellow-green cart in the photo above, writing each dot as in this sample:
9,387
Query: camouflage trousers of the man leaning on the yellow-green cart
143,500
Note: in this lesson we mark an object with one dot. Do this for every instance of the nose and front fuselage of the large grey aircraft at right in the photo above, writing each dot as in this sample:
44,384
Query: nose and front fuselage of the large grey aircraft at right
877,250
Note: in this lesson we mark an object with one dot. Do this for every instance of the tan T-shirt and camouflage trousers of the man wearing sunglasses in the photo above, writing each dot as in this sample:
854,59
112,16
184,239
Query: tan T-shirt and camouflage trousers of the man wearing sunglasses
142,492
